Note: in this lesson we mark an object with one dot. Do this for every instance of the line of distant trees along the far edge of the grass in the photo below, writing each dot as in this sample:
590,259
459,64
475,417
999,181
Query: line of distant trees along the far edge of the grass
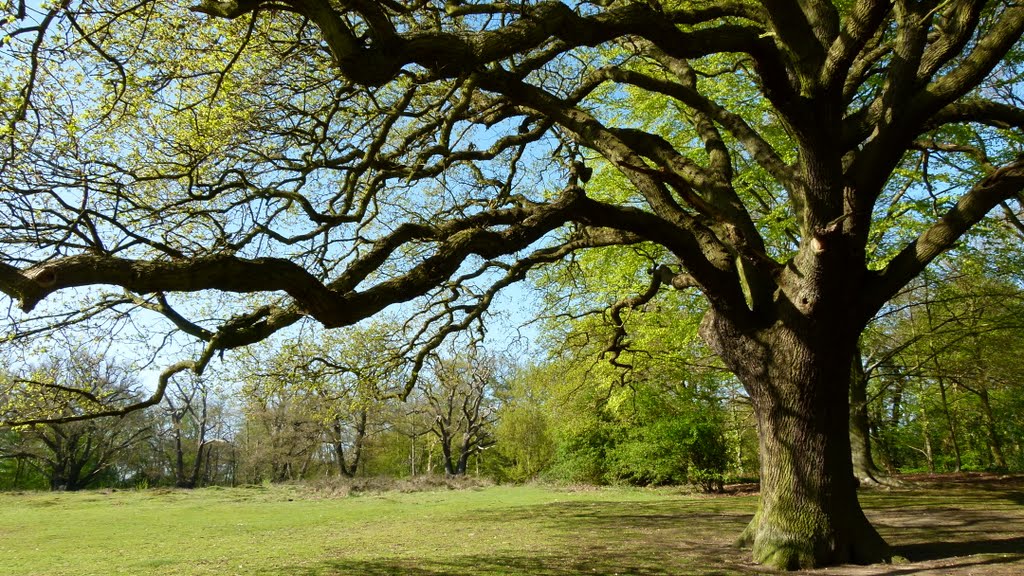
937,389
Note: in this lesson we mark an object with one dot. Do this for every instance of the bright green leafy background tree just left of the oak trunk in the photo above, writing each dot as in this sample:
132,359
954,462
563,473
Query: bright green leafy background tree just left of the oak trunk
662,410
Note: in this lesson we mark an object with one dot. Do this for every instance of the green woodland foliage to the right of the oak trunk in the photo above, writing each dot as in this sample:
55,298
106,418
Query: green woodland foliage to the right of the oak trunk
945,383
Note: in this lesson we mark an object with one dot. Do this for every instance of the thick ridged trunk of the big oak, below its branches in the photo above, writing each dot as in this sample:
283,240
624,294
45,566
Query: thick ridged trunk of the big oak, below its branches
799,384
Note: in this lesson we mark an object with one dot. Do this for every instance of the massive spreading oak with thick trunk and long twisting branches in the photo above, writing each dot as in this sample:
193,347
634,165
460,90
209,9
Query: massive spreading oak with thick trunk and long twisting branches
334,158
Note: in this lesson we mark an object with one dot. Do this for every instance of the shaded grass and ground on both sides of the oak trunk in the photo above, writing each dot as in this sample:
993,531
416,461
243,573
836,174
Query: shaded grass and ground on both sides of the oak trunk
695,538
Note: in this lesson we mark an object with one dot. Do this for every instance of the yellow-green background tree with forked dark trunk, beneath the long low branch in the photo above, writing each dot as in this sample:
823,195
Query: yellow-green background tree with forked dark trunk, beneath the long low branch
334,389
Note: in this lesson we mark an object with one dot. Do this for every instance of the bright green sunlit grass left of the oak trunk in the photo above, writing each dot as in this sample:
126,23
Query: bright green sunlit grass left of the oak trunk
283,530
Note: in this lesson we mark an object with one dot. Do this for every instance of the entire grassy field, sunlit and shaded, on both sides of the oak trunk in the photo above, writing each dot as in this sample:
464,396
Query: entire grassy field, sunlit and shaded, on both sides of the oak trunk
969,527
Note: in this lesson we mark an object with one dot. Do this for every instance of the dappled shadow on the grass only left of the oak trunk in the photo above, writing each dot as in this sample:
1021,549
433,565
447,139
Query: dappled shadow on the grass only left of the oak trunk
603,539
